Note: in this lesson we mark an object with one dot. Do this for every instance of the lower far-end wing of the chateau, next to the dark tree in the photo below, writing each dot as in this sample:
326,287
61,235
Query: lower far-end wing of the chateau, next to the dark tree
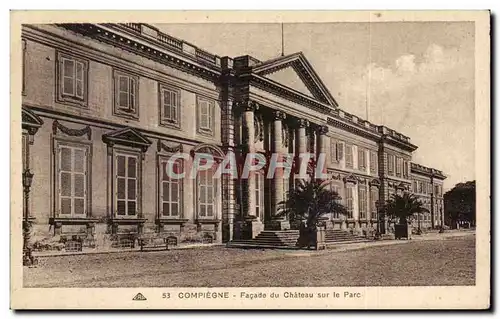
428,186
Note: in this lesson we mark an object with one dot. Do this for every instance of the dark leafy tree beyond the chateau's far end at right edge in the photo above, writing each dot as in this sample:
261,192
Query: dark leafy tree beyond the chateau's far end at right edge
460,203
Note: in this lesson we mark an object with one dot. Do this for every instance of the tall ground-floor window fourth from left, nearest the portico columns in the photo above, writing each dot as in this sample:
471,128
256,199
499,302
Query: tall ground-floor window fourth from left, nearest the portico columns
206,193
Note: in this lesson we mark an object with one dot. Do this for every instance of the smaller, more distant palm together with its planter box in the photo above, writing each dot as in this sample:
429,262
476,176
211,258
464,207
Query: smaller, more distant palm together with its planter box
400,208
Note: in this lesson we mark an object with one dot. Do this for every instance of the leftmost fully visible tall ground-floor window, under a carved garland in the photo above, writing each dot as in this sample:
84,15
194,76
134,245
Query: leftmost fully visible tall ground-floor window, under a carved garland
72,184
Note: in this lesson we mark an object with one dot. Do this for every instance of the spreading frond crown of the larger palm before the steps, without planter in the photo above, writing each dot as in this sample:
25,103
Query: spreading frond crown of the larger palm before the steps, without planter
310,200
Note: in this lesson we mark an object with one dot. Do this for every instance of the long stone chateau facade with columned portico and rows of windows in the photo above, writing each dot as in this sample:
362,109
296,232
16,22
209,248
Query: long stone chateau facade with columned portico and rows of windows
106,105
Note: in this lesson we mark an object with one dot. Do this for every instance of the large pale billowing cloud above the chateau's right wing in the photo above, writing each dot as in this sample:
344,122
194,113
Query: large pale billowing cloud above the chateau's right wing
429,97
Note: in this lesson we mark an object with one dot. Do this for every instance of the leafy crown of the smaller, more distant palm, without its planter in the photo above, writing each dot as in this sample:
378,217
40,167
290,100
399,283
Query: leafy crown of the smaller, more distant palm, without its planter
403,207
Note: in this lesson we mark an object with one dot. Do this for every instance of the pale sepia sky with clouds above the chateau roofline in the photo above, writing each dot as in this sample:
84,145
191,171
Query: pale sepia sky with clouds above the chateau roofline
414,77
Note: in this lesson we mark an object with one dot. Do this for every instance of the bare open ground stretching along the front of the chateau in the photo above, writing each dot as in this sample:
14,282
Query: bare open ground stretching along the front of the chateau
444,261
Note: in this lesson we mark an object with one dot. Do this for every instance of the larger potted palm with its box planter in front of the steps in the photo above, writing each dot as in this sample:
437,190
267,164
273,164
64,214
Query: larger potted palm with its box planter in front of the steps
308,203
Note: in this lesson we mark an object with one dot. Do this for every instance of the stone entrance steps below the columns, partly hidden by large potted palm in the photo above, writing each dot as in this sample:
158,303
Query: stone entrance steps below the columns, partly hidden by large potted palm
288,239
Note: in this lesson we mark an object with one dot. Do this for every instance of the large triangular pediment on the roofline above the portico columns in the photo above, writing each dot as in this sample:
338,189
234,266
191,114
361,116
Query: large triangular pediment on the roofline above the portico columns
295,72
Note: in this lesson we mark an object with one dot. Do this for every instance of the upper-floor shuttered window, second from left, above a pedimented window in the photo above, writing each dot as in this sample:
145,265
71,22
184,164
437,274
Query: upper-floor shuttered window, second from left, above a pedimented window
126,92
